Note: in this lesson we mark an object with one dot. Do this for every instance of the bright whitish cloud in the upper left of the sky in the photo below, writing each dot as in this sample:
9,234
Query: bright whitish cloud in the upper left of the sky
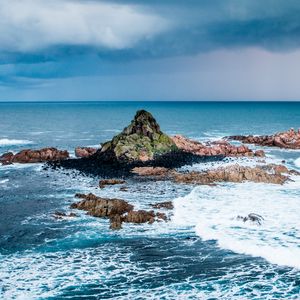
33,25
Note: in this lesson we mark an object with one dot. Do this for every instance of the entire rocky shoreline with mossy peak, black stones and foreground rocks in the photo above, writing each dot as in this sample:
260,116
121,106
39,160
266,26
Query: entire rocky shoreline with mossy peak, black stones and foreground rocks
143,151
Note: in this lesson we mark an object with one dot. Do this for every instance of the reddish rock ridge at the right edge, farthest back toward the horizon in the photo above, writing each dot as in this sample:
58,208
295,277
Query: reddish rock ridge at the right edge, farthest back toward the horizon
289,139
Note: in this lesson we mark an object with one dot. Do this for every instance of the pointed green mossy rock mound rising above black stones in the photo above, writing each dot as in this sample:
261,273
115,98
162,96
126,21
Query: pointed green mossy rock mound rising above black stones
142,140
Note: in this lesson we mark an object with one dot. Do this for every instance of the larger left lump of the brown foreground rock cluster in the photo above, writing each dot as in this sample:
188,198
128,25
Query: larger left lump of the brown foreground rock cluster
101,207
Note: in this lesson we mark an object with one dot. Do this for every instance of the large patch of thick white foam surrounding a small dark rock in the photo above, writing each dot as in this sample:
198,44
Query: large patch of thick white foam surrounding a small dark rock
213,211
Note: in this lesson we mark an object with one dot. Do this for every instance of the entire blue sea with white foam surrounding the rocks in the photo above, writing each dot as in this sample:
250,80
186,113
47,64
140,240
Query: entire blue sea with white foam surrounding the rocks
202,253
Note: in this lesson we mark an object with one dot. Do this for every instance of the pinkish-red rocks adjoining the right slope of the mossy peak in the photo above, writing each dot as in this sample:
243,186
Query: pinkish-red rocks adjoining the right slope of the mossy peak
221,147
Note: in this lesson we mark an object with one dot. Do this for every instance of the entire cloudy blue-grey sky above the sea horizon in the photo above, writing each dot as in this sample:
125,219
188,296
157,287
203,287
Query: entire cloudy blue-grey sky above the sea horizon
70,50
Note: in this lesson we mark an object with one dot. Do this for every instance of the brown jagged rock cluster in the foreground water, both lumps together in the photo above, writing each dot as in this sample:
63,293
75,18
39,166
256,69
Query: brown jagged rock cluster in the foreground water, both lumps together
117,210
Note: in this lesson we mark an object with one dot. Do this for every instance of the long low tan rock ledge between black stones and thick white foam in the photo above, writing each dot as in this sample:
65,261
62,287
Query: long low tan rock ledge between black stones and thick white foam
272,173
